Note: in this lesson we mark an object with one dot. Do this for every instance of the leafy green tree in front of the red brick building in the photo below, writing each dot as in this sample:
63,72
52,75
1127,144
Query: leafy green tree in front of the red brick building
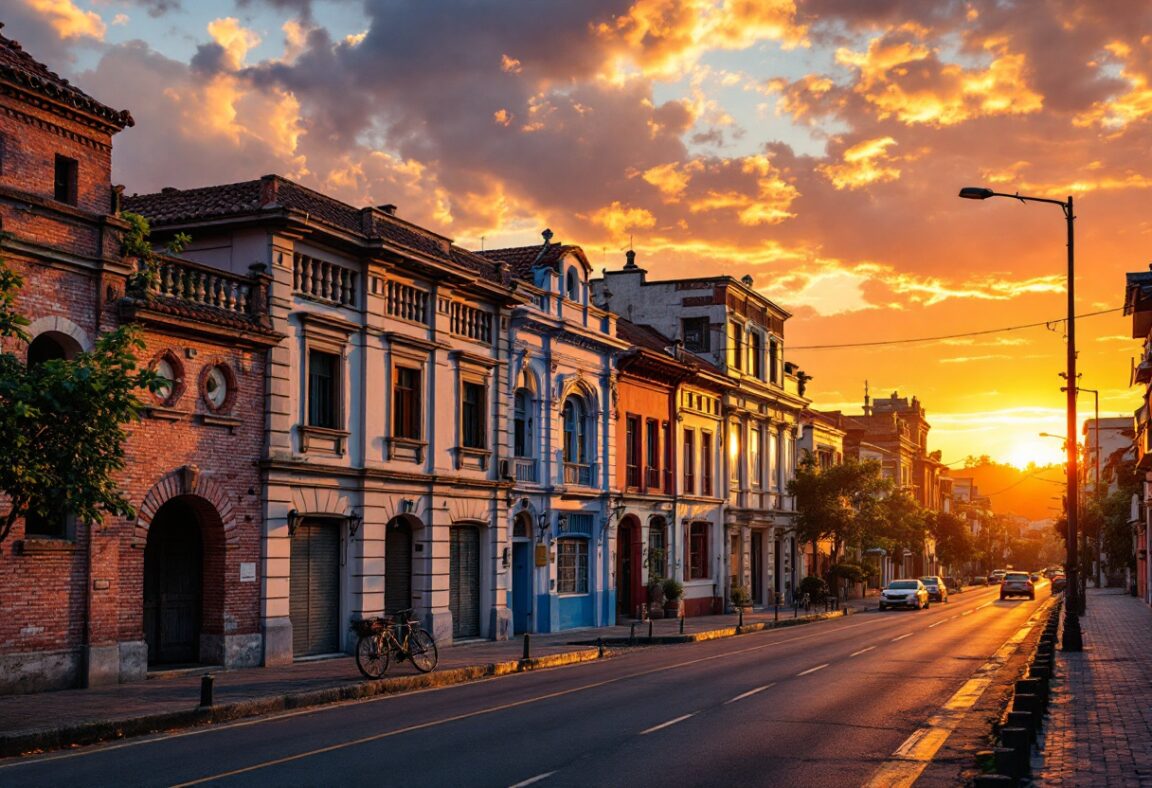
63,422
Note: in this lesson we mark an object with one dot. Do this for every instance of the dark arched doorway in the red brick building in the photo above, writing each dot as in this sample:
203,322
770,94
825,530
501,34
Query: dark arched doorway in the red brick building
173,586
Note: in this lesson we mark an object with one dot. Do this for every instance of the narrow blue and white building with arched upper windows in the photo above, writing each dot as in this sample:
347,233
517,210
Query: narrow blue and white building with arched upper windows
564,405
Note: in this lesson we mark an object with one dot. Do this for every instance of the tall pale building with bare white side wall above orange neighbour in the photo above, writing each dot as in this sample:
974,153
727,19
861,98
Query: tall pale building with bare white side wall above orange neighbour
732,328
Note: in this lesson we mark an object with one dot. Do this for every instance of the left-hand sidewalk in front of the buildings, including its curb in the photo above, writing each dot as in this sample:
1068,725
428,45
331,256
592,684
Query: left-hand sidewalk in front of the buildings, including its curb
50,721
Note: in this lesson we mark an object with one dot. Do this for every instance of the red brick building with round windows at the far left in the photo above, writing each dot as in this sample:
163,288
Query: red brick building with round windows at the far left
100,603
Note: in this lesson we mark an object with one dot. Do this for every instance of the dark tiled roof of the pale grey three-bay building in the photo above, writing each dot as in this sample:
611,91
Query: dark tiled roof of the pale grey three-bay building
274,194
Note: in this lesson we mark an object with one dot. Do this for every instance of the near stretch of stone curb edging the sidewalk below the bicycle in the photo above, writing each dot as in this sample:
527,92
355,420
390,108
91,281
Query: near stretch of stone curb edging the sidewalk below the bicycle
93,733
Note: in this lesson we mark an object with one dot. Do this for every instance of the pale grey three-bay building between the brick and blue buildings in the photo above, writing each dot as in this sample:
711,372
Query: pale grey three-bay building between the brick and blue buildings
383,488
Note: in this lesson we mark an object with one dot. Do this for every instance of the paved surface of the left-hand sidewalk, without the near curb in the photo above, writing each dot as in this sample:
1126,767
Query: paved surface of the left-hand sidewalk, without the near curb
180,692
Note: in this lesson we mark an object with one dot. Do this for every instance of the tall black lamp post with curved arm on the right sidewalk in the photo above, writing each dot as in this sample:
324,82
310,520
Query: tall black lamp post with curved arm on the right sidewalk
1073,639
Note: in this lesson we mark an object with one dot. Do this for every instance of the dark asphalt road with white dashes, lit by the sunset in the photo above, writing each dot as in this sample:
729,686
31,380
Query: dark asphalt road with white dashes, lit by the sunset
815,706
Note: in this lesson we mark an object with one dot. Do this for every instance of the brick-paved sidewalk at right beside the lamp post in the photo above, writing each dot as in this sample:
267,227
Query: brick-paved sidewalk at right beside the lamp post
1100,730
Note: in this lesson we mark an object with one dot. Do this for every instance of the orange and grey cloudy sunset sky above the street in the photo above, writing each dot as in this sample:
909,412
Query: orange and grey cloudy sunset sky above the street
817,146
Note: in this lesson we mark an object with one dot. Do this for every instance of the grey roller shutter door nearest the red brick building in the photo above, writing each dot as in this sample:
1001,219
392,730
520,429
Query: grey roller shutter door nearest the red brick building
314,597
